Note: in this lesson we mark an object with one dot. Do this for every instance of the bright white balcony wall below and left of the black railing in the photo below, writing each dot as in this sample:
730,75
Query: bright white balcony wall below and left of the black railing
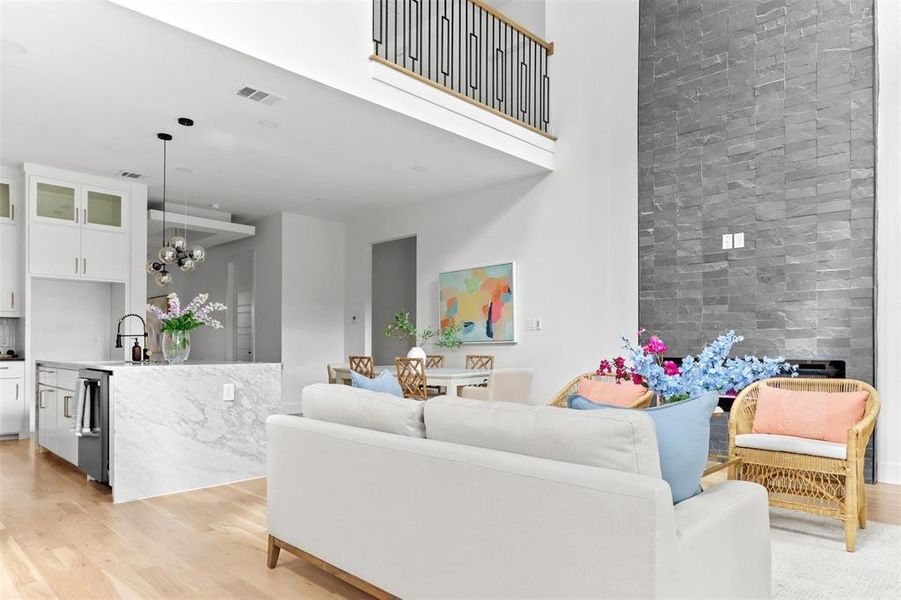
330,42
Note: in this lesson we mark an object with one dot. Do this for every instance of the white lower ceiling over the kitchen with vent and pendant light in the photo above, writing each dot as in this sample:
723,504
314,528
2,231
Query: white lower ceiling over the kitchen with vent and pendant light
96,82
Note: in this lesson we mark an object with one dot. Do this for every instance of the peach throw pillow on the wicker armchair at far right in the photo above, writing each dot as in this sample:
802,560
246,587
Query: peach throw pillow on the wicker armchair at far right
823,416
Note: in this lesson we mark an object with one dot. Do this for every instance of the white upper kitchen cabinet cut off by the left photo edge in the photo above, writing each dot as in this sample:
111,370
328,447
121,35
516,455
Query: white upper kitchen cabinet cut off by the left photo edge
10,258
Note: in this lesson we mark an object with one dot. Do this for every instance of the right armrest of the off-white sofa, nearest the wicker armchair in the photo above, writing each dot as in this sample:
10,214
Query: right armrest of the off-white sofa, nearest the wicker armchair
723,542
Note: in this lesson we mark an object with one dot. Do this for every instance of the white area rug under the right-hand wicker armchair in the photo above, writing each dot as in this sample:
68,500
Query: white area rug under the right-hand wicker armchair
810,561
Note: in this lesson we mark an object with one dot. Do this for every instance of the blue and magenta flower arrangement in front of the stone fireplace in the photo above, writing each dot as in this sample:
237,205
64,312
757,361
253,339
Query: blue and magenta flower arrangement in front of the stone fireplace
711,370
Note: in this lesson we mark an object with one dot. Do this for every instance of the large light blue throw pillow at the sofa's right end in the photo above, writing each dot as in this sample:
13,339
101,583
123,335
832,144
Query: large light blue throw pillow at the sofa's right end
683,439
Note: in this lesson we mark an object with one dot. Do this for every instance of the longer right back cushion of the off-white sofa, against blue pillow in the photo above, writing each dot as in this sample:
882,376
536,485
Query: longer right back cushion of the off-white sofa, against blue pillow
623,441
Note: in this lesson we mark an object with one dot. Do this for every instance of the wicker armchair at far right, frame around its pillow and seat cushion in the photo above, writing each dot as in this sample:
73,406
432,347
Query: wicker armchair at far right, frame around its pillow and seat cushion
814,484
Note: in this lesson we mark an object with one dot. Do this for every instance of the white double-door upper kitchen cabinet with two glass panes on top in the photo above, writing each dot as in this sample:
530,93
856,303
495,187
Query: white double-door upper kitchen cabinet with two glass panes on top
77,231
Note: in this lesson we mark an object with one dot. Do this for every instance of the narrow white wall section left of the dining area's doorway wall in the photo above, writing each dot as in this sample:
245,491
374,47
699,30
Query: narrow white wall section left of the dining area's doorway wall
312,301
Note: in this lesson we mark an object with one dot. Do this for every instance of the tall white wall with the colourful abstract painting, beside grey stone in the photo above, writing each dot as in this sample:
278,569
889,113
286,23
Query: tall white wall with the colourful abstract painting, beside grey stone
573,233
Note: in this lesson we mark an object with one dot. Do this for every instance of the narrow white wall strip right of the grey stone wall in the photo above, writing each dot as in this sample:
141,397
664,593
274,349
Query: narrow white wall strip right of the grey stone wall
888,244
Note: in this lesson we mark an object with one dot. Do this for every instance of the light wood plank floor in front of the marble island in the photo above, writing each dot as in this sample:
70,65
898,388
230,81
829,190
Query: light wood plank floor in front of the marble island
61,537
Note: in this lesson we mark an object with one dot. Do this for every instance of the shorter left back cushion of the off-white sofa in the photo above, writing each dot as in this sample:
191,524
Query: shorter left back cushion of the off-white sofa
363,408
